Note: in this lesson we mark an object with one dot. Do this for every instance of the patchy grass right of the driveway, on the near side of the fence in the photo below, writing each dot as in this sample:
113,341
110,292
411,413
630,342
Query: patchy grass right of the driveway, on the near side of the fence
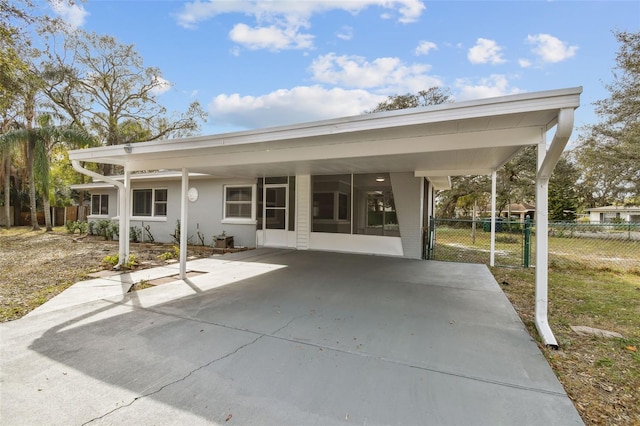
602,376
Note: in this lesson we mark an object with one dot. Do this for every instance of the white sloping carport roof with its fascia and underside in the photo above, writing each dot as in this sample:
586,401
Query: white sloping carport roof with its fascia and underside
472,137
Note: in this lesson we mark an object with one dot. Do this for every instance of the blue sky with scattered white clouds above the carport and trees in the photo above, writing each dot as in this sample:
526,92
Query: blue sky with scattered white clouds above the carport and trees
255,64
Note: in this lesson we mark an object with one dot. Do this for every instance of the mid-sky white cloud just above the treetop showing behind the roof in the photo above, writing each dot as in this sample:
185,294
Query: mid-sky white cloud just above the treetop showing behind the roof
385,75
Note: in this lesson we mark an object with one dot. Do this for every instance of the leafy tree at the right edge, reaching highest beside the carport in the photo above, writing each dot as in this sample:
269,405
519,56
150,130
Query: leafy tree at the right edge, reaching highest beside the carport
609,152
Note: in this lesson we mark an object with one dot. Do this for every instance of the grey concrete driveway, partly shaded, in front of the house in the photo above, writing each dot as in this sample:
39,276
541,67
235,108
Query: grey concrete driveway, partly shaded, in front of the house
273,337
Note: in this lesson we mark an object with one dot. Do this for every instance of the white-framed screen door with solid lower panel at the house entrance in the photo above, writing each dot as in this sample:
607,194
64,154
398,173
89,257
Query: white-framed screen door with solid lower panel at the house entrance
275,215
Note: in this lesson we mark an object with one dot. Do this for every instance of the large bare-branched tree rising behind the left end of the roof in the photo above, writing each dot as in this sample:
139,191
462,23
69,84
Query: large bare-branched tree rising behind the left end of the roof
105,89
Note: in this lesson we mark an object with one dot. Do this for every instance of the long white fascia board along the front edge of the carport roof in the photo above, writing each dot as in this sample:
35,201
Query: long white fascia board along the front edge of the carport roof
527,102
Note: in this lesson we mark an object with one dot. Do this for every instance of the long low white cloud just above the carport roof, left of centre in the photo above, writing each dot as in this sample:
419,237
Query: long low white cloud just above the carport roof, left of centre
288,106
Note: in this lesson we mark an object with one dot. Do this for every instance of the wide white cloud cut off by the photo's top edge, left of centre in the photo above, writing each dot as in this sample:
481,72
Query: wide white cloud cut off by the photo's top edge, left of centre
279,23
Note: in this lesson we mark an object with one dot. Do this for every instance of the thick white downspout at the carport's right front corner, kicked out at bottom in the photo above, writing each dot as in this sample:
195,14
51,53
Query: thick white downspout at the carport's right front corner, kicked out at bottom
547,160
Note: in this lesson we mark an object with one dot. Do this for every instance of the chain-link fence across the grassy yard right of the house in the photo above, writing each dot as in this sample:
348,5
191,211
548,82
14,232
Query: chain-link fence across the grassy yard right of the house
614,247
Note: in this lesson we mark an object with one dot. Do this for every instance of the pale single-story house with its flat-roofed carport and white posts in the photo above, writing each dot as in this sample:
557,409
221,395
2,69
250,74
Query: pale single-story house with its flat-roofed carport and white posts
362,184
